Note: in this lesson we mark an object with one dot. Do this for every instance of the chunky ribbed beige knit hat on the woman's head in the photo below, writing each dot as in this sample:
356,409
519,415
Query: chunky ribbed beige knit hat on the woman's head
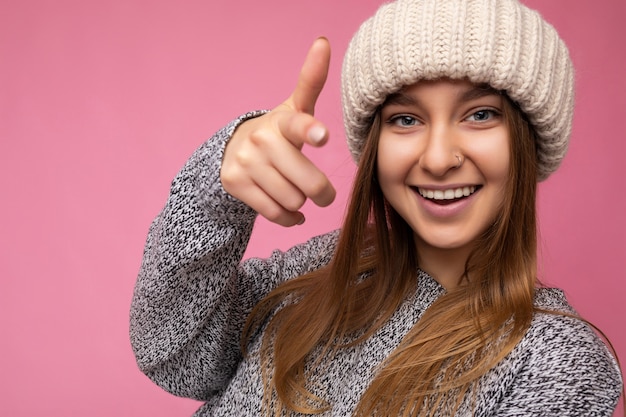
498,42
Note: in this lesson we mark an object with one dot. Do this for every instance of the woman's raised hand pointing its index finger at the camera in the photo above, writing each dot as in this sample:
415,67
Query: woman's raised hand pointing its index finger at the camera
263,164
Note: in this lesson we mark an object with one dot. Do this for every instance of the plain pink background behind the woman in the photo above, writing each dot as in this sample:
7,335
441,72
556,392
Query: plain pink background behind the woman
101,102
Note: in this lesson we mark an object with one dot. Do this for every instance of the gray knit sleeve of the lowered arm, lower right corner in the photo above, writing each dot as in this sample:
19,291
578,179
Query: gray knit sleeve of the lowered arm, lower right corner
568,371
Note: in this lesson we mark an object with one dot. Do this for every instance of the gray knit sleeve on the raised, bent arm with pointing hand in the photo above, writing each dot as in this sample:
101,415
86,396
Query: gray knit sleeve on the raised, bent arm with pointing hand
193,294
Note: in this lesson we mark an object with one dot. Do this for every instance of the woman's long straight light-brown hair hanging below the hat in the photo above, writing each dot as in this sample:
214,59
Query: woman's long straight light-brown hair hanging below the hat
459,338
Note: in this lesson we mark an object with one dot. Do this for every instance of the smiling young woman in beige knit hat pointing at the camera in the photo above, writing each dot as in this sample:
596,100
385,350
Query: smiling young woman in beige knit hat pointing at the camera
426,302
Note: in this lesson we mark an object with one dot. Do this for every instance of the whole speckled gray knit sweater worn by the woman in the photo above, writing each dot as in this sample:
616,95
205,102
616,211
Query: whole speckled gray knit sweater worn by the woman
193,295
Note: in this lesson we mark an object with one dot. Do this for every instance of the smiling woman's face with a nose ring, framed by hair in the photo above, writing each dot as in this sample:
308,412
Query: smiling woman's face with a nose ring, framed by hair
443,161
